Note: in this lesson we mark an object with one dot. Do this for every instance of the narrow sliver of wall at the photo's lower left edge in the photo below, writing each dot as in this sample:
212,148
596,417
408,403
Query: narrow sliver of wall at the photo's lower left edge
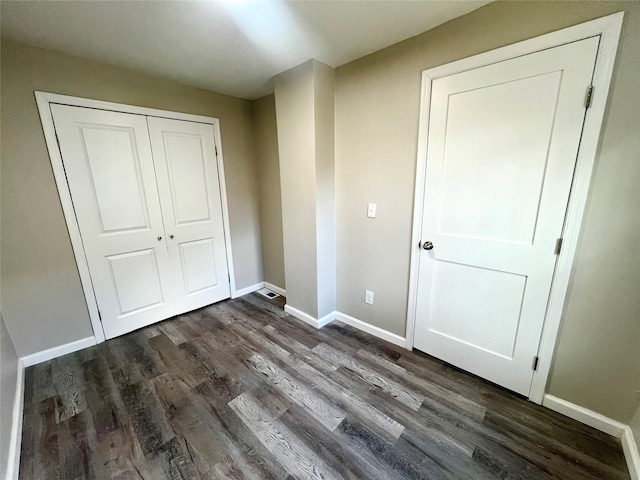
8,374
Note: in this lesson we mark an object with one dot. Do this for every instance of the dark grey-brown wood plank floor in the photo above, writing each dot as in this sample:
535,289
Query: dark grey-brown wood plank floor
242,390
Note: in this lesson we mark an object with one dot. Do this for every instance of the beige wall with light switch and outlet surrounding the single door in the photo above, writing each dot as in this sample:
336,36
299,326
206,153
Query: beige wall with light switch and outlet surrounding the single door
377,97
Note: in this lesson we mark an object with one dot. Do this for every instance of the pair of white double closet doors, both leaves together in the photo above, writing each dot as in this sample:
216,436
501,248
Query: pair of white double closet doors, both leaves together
146,195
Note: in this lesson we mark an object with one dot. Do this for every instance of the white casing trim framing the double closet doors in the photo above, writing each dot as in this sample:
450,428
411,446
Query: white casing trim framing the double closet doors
44,101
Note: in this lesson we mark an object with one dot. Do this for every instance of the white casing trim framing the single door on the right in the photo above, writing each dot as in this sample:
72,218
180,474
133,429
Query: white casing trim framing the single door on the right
608,28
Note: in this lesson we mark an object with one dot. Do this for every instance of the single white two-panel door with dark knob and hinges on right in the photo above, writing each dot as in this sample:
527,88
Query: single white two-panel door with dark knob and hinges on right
502,146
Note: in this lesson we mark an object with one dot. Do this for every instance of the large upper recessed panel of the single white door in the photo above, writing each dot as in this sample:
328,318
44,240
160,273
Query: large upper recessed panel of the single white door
481,172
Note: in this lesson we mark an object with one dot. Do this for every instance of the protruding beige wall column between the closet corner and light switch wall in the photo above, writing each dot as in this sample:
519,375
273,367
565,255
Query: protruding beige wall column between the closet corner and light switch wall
305,117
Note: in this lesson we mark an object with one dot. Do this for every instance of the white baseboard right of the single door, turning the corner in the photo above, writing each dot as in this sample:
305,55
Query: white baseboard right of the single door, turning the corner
602,423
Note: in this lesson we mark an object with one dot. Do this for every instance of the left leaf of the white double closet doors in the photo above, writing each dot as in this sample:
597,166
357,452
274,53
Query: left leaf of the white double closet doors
110,173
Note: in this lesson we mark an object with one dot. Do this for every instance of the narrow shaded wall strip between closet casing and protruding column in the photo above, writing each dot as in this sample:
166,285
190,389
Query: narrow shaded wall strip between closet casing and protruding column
266,132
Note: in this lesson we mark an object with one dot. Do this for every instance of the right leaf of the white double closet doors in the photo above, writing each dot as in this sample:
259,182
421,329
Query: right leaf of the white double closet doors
187,171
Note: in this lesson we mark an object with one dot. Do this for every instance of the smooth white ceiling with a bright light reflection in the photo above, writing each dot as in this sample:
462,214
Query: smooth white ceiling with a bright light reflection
233,47
